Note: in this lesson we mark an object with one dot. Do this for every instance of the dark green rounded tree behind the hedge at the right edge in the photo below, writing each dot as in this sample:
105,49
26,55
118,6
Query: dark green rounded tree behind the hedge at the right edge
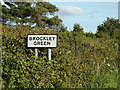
108,27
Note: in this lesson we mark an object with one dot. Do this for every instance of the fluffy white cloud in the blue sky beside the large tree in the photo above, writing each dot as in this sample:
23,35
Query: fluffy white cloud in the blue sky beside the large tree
69,10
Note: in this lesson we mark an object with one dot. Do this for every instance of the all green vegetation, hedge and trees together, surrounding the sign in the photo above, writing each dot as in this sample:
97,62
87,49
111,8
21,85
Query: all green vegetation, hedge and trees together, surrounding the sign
81,60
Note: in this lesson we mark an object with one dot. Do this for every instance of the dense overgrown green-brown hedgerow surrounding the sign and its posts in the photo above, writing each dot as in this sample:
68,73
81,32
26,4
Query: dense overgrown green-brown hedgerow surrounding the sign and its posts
77,62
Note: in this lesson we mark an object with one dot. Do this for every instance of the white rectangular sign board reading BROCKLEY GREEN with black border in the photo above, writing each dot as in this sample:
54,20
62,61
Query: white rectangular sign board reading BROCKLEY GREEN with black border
40,40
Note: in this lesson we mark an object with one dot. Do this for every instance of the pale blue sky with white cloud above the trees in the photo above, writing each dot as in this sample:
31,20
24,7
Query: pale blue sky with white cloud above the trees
88,13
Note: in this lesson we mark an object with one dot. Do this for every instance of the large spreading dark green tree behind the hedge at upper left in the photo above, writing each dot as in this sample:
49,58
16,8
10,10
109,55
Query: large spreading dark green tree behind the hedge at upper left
32,13
